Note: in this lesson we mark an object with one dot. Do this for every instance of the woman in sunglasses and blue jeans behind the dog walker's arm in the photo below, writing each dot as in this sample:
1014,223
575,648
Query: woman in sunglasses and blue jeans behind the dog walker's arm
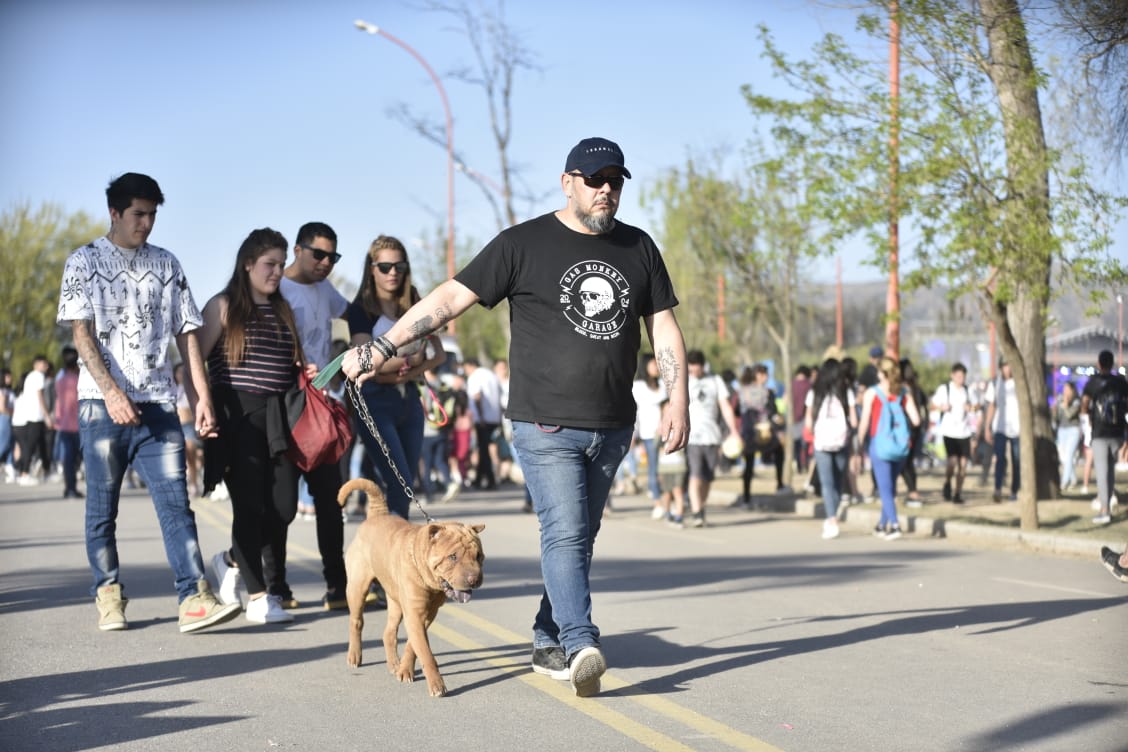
393,396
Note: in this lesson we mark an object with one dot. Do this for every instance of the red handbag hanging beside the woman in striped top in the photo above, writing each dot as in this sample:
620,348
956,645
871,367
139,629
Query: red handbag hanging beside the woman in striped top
321,431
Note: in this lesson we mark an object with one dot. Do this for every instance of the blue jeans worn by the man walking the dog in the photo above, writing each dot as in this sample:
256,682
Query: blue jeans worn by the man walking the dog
569,473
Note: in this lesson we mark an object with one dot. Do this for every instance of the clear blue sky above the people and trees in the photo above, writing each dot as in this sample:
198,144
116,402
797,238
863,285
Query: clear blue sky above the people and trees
261,113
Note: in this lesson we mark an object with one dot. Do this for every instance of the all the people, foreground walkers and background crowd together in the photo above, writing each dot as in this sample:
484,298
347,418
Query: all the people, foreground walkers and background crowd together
578,403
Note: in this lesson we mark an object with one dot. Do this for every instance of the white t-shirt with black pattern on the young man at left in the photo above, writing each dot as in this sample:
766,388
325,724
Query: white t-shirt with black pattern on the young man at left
139,302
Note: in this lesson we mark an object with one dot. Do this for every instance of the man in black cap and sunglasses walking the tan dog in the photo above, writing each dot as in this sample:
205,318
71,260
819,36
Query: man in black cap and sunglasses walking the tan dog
579,285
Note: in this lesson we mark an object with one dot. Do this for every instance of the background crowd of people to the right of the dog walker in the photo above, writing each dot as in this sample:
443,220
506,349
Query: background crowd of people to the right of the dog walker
836,414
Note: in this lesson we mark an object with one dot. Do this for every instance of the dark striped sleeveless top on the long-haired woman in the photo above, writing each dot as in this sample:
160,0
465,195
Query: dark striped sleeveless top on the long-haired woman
268,366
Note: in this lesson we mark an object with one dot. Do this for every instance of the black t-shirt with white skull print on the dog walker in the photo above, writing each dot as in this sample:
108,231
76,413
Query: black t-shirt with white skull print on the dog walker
576,303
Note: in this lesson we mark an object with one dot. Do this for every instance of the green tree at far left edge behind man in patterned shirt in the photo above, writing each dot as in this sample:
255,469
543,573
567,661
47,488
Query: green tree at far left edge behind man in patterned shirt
34,245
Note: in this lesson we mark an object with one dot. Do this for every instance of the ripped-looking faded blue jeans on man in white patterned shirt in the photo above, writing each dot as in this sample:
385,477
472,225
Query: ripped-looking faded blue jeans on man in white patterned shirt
156,452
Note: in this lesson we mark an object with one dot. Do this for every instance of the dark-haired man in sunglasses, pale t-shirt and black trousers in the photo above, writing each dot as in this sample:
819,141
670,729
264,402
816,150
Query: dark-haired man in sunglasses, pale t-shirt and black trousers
316,303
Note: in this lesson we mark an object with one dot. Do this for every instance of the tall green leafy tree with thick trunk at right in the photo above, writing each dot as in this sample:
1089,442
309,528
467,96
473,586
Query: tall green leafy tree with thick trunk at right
999,215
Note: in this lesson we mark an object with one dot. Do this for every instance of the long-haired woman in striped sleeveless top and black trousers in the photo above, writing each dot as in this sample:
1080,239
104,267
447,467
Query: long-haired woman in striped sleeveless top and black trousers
253,351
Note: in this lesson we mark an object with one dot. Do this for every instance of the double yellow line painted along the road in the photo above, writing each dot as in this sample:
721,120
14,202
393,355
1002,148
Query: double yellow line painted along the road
221,518
